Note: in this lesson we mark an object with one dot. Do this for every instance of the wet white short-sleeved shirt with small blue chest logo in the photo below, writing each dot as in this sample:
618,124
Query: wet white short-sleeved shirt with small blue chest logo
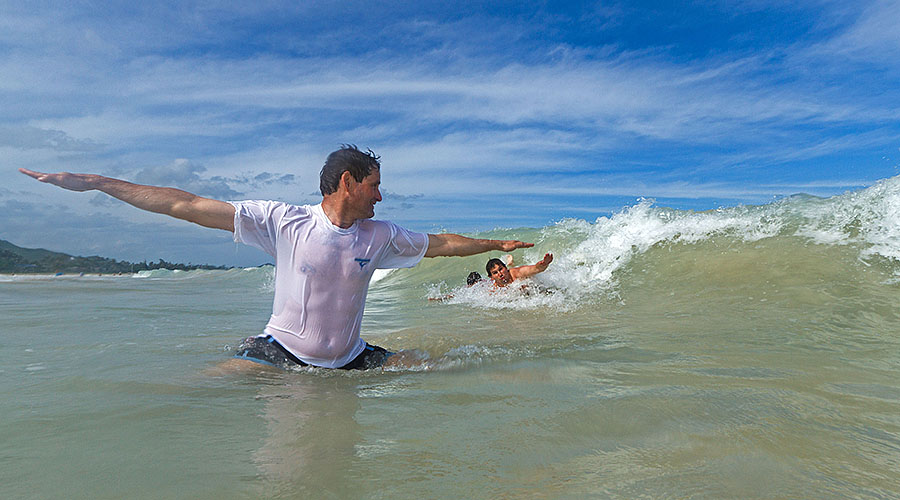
322,273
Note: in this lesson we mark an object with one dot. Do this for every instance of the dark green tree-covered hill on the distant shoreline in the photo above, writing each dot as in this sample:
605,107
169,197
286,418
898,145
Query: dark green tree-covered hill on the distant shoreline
15,259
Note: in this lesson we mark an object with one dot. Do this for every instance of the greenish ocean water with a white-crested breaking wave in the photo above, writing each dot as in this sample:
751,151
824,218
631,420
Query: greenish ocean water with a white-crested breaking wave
746,352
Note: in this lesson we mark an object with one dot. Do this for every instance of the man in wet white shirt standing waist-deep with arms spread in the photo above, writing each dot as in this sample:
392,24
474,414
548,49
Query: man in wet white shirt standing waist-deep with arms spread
324,254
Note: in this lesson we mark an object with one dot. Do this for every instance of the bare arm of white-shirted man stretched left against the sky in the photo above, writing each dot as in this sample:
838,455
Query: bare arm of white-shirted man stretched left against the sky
169,201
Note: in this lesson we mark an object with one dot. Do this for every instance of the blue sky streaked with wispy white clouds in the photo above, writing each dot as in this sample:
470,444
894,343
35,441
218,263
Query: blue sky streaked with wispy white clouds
485,114
